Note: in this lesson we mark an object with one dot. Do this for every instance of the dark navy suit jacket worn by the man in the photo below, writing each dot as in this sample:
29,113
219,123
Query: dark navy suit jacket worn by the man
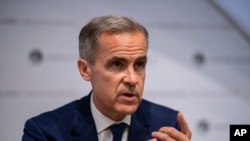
74,122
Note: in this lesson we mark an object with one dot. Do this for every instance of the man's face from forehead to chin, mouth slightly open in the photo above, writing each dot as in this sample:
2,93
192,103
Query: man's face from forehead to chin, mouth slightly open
118,74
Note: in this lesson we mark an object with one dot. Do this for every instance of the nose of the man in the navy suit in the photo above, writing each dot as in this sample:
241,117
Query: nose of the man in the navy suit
130,77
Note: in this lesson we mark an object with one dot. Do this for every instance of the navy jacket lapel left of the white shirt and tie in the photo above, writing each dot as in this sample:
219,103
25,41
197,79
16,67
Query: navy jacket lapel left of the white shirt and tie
83,127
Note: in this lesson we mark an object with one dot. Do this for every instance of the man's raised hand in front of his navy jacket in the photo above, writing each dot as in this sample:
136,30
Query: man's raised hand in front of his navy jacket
172,134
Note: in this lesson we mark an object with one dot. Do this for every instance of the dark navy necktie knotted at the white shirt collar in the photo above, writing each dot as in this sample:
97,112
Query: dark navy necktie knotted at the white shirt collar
117,131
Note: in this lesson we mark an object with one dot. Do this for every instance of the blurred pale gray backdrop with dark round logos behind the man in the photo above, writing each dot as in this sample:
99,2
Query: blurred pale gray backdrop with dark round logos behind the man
199,59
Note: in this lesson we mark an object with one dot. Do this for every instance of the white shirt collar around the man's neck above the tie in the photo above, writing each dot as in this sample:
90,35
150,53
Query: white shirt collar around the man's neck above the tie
103,121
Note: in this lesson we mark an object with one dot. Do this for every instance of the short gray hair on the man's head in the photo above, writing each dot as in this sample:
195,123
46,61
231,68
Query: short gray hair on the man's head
89,35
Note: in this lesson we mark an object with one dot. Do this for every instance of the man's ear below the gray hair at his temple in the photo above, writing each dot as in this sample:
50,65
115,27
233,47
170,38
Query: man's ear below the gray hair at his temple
84,69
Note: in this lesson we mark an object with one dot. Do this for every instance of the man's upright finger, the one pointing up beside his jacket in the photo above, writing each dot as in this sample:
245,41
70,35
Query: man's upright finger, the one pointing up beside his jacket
183,125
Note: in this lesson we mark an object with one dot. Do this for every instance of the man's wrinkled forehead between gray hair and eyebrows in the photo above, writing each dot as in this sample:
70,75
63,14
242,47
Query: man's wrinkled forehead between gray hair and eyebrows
122,44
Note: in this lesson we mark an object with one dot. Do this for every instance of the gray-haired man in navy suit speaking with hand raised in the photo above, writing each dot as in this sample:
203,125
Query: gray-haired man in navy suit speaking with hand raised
113,57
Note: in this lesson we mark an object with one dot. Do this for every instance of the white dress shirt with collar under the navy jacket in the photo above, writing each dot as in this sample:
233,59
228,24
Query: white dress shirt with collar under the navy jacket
102,123
